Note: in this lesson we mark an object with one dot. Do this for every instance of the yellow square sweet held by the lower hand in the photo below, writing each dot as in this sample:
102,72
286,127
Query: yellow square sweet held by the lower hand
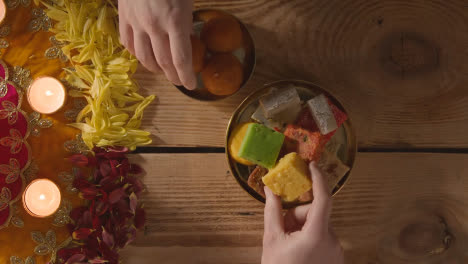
289,178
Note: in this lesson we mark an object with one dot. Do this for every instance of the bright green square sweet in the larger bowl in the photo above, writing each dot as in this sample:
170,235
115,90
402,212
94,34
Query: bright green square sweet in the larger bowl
261,145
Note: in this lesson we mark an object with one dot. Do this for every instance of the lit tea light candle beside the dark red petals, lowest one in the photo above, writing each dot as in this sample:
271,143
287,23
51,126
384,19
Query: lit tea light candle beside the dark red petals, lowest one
41,198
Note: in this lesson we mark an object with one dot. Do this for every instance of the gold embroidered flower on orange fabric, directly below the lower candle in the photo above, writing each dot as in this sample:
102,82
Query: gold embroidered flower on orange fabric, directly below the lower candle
48,244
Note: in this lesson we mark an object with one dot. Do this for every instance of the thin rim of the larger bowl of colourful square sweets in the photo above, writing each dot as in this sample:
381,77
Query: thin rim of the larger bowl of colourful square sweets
343,181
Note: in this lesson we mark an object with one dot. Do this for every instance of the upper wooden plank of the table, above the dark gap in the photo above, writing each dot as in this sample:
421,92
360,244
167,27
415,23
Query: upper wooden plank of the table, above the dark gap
399,66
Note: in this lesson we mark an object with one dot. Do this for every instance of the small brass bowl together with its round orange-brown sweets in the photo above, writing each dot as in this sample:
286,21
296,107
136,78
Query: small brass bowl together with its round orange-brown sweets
223,55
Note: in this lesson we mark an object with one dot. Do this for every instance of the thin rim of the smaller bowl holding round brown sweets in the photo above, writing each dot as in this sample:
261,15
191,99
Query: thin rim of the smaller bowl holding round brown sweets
185,91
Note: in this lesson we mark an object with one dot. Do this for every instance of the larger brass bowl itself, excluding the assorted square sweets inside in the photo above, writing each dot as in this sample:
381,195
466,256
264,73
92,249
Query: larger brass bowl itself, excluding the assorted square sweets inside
306,91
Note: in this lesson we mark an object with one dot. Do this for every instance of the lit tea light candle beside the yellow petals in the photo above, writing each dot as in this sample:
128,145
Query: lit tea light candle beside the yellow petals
46,95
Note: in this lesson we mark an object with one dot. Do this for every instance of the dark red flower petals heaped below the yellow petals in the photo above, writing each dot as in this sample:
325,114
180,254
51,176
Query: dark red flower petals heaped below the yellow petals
108,182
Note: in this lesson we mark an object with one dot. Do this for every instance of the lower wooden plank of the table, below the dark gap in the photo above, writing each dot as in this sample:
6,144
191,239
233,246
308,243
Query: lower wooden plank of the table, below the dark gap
397,208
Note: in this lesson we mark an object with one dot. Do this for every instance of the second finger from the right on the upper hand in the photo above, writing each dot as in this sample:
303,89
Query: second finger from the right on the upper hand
162,51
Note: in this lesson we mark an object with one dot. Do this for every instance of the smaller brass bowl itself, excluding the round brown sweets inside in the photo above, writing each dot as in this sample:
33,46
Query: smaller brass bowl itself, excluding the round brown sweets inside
200,93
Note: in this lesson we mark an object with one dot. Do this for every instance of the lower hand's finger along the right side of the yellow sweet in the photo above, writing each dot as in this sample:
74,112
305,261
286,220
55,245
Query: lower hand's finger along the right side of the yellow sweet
319,213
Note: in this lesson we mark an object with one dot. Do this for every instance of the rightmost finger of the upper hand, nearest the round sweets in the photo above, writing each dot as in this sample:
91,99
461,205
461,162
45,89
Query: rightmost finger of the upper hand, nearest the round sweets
181,50
